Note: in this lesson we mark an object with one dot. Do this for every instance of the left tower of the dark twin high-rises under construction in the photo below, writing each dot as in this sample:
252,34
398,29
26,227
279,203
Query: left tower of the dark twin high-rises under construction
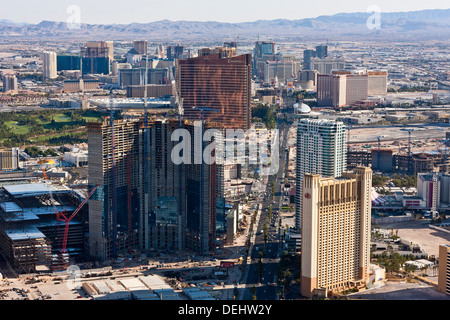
115,209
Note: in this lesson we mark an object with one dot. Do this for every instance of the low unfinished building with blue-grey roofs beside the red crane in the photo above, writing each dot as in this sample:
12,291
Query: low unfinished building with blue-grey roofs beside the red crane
31,235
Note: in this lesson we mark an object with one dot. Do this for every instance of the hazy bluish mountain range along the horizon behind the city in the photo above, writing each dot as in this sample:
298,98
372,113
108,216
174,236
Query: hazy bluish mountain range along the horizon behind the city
425,24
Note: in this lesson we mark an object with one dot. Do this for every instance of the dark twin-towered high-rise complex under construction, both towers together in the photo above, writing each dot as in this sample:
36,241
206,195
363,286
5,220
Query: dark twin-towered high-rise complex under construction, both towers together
145,200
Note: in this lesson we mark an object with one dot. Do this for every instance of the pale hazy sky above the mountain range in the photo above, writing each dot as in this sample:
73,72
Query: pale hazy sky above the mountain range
124,12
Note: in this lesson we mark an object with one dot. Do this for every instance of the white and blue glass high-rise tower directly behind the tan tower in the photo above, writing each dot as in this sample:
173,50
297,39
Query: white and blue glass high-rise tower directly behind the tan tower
321,149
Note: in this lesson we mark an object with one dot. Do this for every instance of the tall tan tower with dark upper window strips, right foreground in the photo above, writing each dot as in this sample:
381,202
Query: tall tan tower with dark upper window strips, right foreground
336,232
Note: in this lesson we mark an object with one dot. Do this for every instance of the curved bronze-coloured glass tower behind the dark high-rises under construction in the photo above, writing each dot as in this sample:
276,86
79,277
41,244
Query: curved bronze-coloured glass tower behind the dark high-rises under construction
221,86
